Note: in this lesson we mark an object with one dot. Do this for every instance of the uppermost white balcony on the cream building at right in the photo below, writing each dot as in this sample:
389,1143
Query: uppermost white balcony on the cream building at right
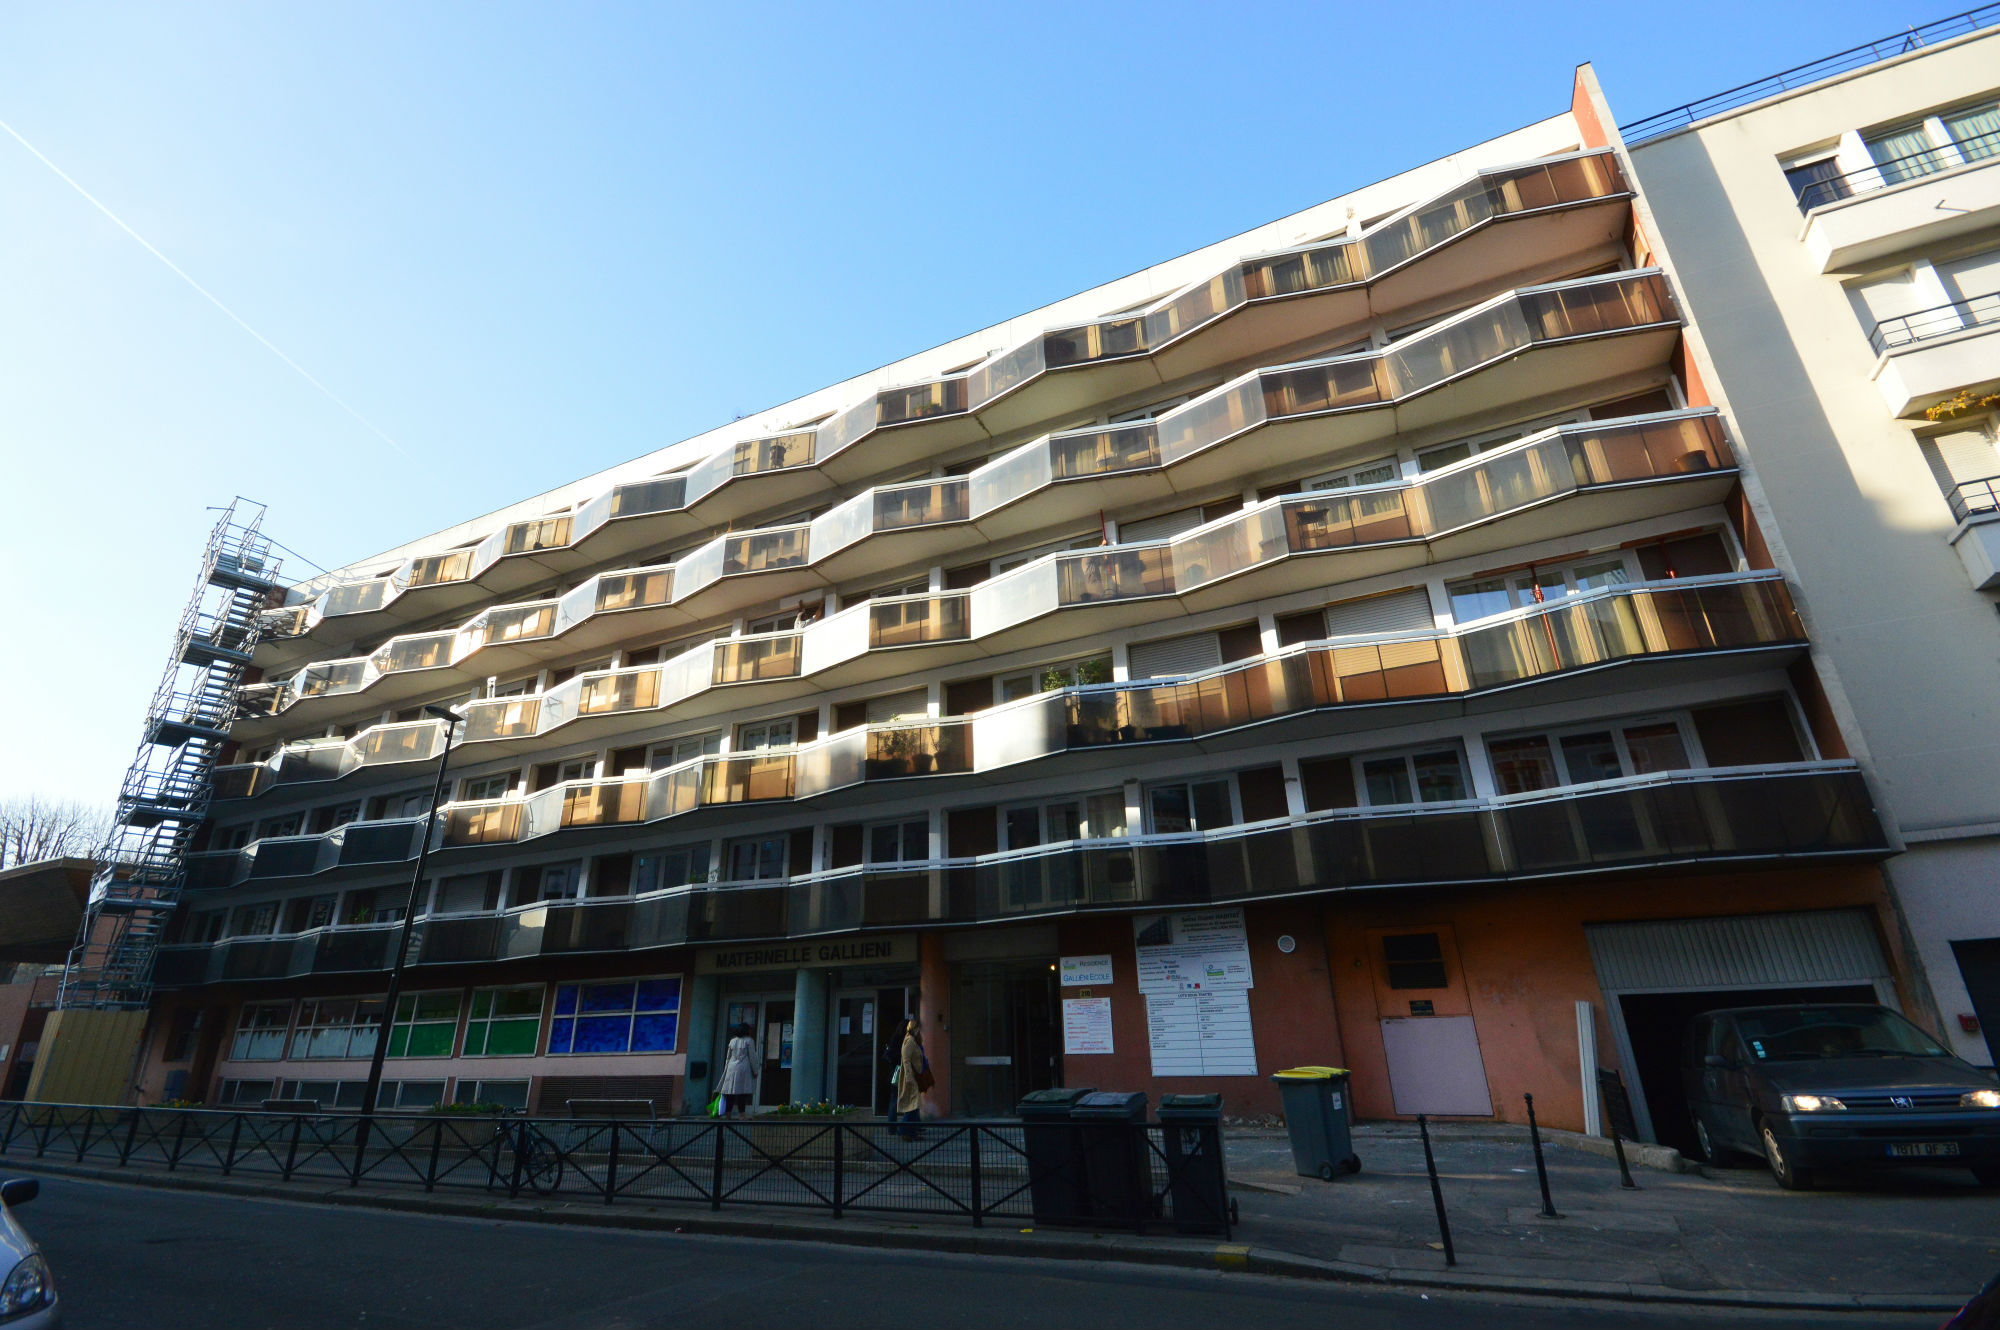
1909,203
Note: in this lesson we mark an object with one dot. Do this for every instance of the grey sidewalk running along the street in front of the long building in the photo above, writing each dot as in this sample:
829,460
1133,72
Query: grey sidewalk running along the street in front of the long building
1917,1241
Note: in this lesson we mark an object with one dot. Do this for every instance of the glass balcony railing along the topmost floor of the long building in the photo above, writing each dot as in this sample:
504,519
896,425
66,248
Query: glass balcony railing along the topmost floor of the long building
1497,195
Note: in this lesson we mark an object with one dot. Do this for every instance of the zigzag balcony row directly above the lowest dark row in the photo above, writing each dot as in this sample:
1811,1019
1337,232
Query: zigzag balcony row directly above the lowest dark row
1679,619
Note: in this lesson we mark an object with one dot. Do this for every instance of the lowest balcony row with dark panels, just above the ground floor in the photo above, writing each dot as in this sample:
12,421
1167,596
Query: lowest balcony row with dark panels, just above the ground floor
1807,811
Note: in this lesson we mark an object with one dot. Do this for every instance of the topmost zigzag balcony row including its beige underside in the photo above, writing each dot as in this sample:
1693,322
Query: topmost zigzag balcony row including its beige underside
1263,301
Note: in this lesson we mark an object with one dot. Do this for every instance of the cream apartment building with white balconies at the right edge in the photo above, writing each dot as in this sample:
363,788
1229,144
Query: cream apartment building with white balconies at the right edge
1841,243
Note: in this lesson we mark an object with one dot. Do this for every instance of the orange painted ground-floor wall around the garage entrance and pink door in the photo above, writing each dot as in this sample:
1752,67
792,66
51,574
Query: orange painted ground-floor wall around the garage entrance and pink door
1527,965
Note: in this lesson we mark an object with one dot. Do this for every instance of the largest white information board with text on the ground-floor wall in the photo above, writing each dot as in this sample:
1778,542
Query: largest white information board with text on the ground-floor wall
1195,971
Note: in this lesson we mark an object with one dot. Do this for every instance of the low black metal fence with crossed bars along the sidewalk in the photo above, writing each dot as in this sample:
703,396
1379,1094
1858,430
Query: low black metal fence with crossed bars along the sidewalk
1127,1175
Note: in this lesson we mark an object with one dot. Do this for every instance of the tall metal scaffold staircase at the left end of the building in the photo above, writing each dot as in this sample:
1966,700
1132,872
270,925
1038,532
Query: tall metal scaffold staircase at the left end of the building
165,795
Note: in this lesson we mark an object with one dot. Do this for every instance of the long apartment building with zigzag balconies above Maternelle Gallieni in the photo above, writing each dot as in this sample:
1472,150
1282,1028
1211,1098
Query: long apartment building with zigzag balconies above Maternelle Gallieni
1351,643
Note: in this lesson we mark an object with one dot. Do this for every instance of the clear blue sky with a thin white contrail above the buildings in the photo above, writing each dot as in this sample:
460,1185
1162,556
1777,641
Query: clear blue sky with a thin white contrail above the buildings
535,241
